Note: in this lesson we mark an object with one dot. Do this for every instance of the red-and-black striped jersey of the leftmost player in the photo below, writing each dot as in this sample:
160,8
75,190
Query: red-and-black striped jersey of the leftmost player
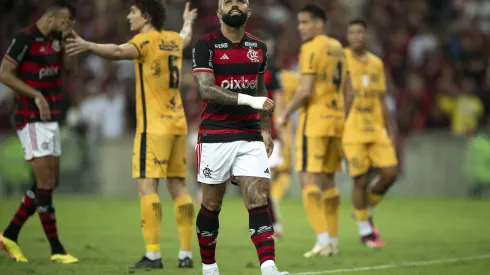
39,61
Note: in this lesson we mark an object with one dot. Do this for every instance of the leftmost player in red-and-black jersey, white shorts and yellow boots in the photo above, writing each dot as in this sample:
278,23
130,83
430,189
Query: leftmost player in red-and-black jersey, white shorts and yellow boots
33,67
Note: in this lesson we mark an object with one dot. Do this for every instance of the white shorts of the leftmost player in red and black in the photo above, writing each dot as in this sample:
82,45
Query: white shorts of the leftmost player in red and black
40,139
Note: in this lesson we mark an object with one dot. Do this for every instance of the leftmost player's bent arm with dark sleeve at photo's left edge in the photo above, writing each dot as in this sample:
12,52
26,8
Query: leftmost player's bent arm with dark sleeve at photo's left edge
8,69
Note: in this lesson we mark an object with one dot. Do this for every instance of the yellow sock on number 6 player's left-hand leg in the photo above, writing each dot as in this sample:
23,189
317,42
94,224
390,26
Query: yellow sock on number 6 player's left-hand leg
151,218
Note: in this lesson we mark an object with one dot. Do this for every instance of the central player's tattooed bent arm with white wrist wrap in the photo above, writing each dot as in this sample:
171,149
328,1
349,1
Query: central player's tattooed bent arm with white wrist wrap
206,83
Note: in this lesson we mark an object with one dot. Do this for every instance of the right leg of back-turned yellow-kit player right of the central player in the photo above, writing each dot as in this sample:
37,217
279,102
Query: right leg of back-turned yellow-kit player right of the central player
330,192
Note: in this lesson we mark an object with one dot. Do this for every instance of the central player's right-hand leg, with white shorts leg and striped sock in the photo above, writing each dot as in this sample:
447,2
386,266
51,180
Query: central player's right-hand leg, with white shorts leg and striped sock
252,174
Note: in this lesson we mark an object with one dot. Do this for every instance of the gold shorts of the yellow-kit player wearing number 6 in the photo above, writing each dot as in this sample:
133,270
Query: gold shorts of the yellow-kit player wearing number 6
159,156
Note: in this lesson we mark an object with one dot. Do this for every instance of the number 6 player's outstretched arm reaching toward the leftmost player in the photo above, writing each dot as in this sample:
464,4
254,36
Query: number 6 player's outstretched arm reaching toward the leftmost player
127,51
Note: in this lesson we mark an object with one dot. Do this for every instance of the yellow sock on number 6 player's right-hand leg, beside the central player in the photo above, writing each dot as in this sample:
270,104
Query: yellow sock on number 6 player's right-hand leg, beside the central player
184,214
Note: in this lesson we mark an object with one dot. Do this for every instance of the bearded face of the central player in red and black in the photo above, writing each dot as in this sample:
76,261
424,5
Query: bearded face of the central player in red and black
234,13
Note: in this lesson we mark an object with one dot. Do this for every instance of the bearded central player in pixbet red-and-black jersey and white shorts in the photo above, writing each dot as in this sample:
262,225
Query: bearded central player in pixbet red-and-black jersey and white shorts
234,137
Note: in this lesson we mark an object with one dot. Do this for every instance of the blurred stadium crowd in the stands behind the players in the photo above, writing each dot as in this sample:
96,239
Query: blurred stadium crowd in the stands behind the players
434,51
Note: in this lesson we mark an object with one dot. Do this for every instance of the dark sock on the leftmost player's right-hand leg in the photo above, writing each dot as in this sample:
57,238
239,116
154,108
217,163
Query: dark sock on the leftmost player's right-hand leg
46,212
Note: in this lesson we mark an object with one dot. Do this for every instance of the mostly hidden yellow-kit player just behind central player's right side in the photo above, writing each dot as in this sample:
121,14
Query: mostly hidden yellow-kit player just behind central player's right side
281,178
